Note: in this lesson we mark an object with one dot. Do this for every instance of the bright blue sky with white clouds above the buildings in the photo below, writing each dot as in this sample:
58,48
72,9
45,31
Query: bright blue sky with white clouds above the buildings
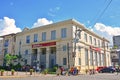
100,16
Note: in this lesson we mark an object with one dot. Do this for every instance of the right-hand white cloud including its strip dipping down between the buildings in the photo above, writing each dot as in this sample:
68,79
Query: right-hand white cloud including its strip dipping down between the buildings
107,31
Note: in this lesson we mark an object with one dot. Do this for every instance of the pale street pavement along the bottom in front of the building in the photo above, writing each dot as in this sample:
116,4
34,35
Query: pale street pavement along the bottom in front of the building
102,76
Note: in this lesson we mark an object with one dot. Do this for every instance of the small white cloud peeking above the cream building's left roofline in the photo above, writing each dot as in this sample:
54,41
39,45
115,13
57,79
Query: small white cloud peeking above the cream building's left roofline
42,21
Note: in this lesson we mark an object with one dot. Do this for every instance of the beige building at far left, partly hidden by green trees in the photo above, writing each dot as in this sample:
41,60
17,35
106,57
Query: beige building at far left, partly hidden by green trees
7,45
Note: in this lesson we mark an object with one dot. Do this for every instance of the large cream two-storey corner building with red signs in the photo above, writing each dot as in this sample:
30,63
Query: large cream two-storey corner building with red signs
67,43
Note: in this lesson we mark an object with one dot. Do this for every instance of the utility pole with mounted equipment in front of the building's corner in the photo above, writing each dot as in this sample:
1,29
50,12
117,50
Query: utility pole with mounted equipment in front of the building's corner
76,39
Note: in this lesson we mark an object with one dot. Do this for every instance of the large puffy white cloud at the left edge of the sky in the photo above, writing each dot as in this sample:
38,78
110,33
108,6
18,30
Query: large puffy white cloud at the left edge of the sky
8,26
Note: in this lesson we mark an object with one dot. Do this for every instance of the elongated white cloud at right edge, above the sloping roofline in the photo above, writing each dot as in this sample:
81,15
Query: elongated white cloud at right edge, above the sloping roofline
108,29
